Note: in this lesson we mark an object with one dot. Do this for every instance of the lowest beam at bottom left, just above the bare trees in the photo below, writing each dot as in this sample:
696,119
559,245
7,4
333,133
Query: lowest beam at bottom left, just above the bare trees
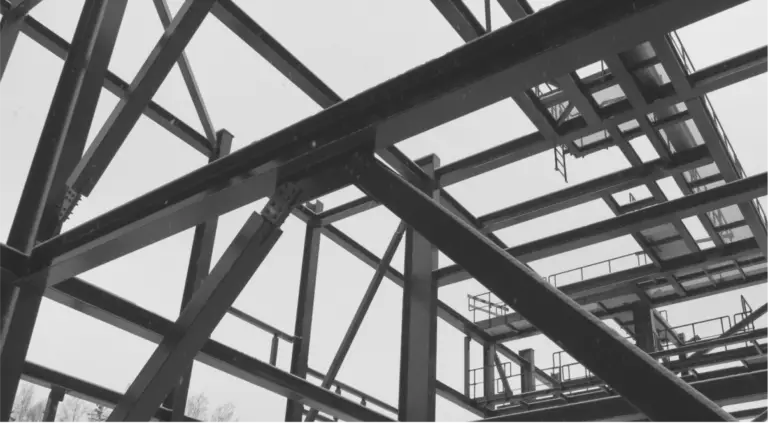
45,377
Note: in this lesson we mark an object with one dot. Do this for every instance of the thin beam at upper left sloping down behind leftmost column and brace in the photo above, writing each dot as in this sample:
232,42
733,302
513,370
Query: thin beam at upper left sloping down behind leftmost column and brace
59,47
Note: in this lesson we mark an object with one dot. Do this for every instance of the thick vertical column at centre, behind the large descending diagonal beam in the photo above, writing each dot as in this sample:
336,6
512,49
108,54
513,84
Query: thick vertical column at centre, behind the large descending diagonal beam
418,347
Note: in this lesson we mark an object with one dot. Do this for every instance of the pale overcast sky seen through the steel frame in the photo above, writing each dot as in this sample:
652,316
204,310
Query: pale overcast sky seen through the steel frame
351,45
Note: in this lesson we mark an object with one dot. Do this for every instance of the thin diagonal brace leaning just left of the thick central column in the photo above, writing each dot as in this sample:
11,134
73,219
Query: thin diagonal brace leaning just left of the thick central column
362,310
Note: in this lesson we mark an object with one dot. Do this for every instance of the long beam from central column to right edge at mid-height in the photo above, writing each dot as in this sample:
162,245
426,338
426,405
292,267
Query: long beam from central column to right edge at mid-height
719,197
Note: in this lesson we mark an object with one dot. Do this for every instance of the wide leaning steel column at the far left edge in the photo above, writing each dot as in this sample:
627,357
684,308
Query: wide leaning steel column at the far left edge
69,118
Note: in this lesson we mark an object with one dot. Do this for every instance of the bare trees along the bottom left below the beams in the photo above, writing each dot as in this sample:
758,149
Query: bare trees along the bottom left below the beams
76,410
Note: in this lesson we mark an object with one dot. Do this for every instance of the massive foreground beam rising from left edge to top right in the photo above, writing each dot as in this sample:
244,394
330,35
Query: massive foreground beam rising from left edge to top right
471,77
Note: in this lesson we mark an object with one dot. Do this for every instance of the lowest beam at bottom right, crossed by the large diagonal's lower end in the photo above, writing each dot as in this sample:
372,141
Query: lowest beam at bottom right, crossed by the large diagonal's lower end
724,391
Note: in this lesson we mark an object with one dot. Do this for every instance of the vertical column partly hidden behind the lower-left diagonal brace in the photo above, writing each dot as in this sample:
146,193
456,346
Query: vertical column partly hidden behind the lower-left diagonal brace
197,270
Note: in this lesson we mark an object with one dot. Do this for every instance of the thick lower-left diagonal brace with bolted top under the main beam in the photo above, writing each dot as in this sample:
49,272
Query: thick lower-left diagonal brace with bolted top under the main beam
205,310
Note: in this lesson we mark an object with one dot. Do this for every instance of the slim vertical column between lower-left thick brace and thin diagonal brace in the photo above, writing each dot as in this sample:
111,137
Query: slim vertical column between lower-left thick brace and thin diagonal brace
304,309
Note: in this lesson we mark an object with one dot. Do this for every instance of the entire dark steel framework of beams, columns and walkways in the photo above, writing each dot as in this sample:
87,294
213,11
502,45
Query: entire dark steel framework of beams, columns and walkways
652,90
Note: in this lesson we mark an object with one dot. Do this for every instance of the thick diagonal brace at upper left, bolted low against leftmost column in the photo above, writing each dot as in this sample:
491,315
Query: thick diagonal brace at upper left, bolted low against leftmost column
144,86
